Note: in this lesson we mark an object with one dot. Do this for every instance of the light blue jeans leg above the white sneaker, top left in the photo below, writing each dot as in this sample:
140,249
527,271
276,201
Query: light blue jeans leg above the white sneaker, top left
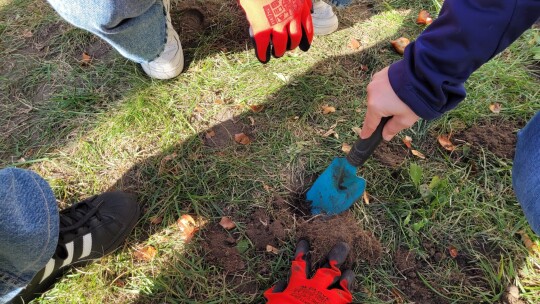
135,28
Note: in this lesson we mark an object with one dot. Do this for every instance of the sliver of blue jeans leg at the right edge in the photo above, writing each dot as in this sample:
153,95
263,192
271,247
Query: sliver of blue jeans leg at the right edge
526,172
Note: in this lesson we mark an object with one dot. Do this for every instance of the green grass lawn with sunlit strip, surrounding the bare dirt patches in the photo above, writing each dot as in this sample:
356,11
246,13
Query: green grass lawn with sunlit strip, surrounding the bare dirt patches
87,129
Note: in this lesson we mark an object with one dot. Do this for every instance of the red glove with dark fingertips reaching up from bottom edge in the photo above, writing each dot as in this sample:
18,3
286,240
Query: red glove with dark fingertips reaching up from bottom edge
327,286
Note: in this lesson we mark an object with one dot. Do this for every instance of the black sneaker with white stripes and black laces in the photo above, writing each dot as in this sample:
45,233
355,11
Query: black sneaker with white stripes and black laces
89,230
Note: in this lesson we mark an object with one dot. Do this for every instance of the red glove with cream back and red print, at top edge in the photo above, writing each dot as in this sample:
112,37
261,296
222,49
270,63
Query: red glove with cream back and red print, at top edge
279,25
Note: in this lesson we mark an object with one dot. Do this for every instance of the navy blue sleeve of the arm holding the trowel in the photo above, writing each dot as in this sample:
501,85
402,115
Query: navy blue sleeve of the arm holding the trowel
467,33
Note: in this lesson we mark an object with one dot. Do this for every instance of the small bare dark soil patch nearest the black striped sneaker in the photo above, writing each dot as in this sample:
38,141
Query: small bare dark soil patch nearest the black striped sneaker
221,250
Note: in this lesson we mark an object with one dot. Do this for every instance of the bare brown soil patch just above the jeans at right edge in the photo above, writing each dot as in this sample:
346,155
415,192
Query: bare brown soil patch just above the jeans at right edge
499,137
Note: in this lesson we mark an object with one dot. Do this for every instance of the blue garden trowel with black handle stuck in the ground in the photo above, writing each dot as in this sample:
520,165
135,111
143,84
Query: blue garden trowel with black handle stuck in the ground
338,187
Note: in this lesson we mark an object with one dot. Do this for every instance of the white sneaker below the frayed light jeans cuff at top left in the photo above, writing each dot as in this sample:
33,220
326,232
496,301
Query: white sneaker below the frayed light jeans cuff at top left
170,62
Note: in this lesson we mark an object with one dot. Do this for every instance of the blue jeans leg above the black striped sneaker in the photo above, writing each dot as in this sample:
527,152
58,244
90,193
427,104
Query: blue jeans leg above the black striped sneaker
29,228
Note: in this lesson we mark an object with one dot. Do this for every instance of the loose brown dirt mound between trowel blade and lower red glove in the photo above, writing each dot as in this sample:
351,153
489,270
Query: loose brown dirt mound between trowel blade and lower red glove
324,232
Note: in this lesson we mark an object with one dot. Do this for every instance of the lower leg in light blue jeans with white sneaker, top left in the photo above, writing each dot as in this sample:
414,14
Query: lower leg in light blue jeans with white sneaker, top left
139,30
